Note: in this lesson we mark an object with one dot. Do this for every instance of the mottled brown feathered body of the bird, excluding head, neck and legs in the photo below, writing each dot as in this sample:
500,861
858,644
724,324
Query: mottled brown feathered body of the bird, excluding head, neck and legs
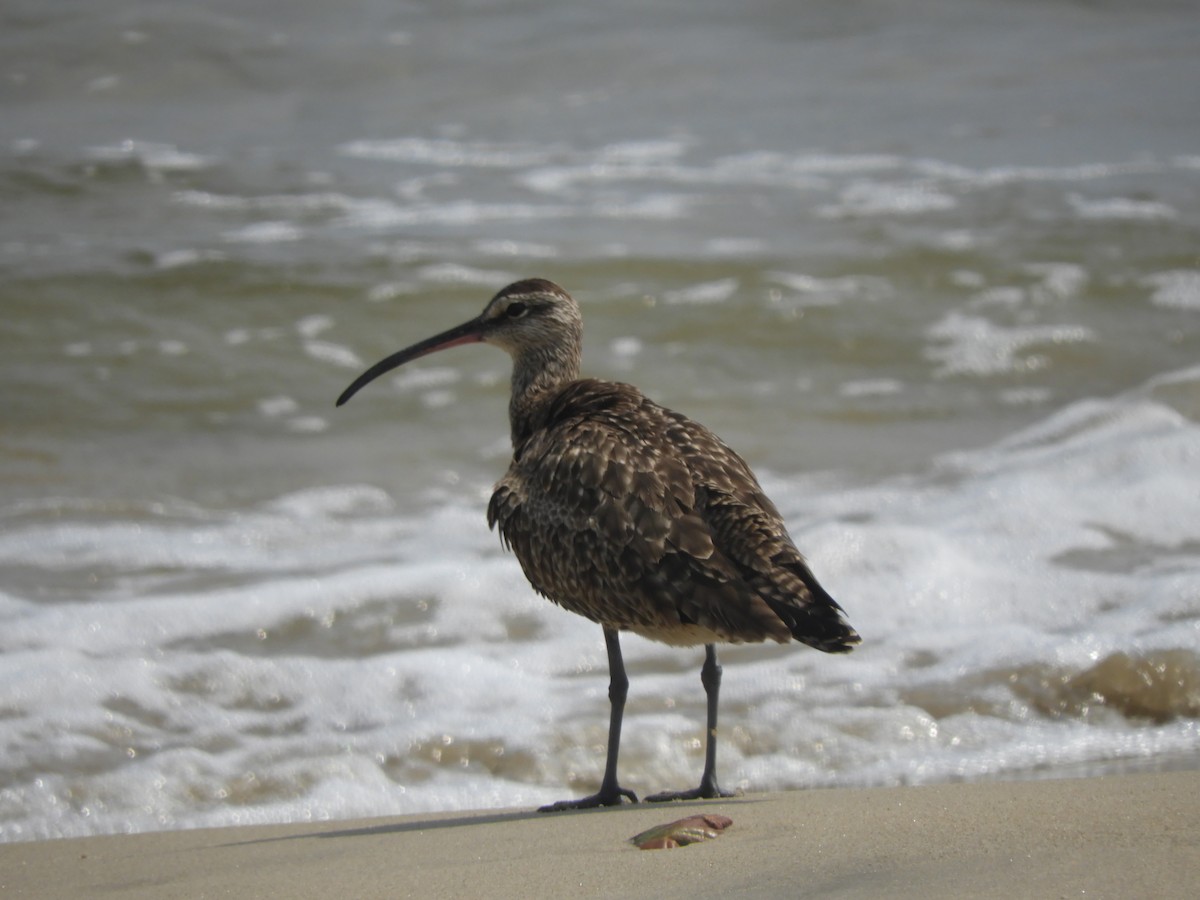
640,519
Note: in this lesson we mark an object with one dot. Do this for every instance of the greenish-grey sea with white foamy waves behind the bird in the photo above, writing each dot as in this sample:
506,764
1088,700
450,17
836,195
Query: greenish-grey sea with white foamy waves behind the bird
933,268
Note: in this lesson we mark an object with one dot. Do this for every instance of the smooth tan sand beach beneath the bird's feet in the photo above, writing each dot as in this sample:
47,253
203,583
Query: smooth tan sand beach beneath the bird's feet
1115,837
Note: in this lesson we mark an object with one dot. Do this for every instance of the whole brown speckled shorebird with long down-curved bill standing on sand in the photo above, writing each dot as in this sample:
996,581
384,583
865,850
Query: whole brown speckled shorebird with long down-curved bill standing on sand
633,515
